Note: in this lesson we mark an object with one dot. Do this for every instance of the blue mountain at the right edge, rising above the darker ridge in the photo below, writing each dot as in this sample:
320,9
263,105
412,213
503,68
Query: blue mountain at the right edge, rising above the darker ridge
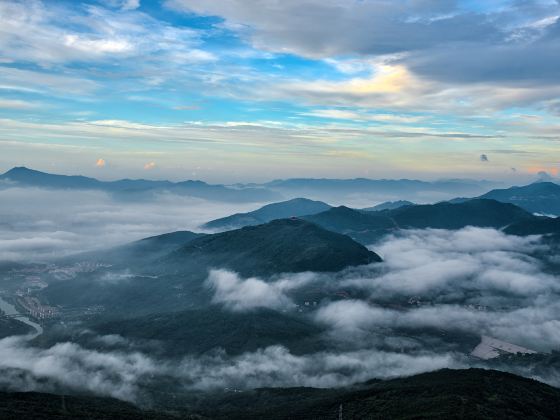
540,197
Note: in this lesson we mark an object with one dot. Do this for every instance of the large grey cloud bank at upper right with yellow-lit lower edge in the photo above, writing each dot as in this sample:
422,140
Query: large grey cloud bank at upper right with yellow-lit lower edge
449,55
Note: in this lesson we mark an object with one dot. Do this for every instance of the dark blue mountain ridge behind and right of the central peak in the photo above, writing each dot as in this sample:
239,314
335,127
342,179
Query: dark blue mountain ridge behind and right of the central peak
366,226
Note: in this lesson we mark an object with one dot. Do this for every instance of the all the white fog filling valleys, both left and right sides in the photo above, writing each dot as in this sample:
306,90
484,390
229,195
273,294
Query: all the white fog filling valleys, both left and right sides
417,311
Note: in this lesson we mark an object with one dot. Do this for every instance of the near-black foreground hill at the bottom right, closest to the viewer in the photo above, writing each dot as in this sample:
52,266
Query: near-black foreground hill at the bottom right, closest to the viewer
444,394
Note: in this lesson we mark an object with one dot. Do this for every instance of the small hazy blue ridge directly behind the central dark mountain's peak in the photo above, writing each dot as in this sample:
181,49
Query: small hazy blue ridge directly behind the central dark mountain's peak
282,210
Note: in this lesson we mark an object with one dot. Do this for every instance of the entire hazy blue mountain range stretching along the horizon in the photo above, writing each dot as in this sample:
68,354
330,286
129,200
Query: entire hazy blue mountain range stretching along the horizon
340,190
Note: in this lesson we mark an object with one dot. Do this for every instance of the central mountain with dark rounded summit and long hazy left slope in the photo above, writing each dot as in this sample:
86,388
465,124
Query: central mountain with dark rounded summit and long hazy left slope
176,281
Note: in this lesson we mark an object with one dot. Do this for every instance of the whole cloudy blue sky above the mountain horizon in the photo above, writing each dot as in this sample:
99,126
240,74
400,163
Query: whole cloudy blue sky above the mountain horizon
254,90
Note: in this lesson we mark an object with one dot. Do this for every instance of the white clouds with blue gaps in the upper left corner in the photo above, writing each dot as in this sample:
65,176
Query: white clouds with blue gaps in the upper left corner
43,33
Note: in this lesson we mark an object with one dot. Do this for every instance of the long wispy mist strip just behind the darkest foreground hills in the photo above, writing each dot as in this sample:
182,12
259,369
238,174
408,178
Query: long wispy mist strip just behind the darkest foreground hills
129,375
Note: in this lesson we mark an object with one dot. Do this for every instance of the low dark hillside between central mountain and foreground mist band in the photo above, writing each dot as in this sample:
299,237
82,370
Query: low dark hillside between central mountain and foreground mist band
203,330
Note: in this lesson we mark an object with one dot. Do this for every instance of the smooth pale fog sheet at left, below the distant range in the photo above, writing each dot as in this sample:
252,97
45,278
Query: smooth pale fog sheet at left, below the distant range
39,224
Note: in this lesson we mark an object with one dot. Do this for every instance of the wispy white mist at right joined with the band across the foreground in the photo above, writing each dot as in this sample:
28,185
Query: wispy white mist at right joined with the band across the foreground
417,311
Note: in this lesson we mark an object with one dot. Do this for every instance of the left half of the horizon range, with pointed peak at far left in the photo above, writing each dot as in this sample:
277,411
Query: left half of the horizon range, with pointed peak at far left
133,187
